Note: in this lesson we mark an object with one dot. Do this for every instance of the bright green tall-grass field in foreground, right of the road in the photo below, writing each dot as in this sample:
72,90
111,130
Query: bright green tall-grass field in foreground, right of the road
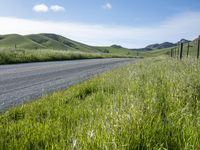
153,104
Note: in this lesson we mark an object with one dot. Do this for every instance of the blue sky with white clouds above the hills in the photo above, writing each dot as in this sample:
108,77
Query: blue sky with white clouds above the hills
130,23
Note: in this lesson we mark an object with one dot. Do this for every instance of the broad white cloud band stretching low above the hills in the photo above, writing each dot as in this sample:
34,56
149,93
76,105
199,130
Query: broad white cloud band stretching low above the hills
185,25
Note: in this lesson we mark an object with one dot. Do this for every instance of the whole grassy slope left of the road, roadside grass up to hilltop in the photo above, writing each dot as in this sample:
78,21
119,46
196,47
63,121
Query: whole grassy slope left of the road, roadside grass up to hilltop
50,47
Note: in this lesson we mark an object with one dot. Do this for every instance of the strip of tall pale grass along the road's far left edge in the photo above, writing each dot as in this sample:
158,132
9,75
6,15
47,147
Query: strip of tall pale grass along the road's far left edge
25,56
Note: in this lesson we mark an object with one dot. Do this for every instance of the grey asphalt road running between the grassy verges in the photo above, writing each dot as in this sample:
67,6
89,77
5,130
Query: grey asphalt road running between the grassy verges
24,82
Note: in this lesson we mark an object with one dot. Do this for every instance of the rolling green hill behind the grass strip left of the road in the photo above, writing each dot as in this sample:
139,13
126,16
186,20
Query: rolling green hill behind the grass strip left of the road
54,42
